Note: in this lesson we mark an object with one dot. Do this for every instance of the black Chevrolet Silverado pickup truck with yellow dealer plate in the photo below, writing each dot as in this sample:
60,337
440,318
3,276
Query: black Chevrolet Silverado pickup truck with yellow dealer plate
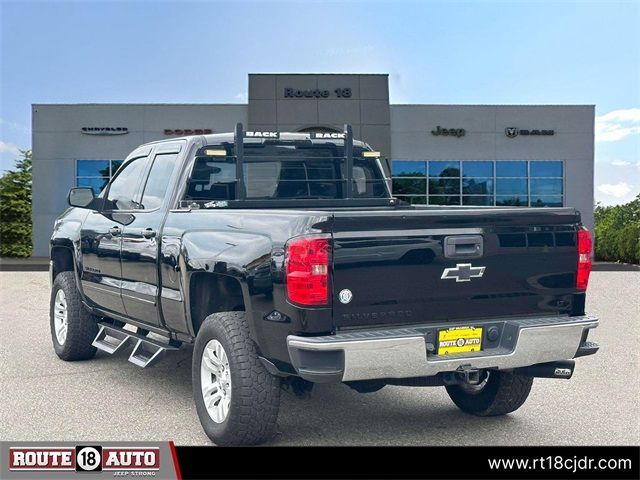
284,259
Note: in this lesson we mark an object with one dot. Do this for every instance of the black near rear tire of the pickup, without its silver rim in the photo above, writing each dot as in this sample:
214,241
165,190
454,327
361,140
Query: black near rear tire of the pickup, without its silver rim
255,393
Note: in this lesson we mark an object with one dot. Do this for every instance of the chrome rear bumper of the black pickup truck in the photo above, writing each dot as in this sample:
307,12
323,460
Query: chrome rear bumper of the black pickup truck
410,352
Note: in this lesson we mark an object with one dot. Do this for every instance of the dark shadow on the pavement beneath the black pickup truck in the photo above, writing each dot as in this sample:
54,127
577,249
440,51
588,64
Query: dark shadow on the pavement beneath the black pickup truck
338,415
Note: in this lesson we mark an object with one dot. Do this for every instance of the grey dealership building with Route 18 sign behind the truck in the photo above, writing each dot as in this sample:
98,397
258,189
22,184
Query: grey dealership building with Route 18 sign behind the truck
522,155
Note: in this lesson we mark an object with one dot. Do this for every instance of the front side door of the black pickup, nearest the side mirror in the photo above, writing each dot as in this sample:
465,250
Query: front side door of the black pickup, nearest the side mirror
101,237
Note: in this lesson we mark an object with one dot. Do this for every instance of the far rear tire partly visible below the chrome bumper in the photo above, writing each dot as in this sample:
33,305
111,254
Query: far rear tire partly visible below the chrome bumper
504,392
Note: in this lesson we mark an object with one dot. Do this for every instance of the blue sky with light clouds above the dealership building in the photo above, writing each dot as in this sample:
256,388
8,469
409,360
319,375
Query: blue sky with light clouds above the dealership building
490,52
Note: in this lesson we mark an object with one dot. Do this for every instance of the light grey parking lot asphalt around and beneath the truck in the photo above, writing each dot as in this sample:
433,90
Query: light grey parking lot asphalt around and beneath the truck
110,399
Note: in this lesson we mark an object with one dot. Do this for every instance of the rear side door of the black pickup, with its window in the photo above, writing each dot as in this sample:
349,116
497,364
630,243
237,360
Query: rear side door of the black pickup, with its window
141,237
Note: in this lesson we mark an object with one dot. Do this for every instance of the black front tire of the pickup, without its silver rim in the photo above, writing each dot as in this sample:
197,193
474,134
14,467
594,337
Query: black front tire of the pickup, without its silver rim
82,327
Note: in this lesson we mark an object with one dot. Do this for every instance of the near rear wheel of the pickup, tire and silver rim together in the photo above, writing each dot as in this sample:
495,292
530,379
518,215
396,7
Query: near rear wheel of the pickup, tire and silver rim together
236,398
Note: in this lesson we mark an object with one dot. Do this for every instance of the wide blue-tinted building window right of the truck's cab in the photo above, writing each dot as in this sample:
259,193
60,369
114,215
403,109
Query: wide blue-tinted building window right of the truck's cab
518,183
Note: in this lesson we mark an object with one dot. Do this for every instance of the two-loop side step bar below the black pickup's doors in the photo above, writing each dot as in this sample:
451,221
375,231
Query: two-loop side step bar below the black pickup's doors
146,351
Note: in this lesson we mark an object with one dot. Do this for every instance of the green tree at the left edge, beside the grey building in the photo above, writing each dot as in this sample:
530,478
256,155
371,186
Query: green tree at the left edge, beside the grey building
15,209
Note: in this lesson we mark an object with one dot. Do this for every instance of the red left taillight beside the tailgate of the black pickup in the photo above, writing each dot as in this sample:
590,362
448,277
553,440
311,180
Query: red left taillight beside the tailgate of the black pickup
307,267
